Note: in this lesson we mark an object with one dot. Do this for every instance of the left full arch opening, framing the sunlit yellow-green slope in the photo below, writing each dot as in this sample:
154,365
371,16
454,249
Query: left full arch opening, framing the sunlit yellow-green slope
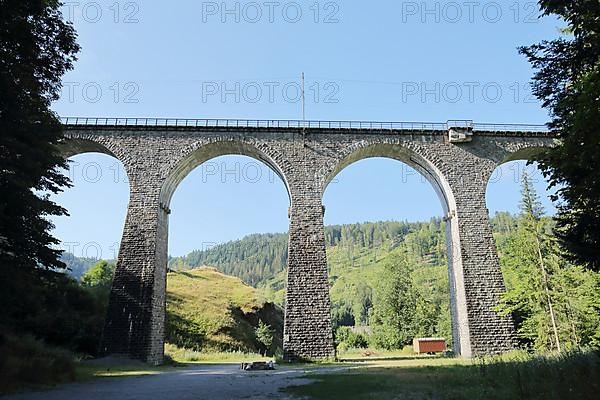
227,236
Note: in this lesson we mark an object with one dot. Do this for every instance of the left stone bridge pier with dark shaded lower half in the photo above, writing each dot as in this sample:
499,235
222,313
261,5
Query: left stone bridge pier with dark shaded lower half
135,321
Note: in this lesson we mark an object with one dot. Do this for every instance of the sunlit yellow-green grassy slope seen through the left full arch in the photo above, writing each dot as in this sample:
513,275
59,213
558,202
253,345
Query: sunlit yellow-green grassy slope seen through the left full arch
207,310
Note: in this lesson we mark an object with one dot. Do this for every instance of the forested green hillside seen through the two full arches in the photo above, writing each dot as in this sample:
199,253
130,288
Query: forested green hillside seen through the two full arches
359,255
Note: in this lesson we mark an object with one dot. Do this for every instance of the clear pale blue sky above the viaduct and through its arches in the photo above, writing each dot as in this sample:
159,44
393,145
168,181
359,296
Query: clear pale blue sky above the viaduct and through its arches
381,60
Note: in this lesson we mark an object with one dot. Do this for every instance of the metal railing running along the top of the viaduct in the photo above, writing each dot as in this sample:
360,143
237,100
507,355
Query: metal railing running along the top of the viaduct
257,123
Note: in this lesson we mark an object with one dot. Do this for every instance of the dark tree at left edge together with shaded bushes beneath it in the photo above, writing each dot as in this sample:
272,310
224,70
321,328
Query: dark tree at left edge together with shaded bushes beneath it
36,48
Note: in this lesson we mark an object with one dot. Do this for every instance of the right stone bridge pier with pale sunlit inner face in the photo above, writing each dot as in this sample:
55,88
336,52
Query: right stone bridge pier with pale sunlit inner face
476,281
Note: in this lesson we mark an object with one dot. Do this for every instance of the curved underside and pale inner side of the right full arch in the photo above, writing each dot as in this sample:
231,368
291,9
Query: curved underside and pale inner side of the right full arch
410,155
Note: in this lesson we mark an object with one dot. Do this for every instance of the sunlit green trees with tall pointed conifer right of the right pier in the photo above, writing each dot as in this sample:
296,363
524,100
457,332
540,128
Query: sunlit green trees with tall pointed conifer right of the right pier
554,303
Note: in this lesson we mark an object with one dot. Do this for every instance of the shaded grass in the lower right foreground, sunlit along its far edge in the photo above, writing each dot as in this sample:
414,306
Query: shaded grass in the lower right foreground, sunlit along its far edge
569,376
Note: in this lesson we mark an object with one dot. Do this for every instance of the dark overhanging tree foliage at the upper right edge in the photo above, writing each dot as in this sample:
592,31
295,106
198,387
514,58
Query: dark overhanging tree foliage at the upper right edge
567,81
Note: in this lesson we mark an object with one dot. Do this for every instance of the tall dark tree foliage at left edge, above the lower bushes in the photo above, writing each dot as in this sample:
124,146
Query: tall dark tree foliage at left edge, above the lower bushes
36,48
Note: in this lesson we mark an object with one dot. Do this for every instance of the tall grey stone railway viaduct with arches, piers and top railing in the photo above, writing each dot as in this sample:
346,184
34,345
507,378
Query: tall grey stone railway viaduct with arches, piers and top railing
458,159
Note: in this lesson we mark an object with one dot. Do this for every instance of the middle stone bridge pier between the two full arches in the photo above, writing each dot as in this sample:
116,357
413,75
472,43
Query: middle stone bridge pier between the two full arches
307,330
